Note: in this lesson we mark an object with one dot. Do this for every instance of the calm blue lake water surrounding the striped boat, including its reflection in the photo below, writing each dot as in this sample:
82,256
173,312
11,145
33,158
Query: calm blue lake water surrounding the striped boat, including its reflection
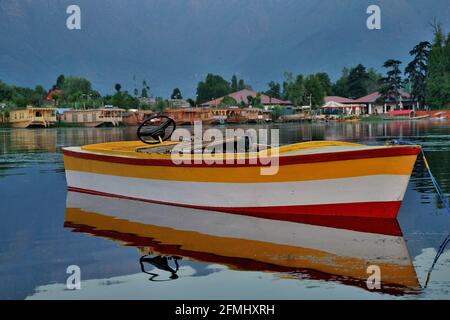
190,254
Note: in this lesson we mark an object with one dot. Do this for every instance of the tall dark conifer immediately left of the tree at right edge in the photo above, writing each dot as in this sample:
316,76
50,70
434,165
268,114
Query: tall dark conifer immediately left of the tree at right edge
417,71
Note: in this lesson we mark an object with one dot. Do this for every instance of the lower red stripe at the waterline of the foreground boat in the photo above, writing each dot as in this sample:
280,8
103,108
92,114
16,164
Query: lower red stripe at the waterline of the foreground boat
382,209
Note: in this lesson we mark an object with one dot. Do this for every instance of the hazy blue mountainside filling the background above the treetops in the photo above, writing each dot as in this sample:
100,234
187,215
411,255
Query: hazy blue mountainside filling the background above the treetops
175,43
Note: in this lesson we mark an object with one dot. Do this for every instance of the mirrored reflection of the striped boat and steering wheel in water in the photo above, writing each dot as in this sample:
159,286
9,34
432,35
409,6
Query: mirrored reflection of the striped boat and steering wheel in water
322,248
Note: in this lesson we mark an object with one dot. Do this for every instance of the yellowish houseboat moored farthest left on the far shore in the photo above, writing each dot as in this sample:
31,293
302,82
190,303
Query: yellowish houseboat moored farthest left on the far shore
32,117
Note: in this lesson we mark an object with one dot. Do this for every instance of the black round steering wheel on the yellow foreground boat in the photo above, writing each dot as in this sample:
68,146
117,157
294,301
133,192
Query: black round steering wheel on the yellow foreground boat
156,129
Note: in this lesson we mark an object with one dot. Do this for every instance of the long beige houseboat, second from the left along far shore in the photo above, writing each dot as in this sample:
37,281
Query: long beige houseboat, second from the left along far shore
94,117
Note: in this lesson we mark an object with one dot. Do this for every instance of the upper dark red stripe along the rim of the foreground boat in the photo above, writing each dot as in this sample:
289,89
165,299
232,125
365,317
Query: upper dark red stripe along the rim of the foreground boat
283,160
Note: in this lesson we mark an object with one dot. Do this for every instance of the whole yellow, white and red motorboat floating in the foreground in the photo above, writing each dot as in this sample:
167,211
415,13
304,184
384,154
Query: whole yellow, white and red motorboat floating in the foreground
330,178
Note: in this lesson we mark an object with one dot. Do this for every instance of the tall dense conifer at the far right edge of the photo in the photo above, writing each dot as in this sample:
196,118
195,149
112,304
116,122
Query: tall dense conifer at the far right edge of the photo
438,80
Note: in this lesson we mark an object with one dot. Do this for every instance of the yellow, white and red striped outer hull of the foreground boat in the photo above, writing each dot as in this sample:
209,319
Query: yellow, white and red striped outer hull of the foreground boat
369,183
